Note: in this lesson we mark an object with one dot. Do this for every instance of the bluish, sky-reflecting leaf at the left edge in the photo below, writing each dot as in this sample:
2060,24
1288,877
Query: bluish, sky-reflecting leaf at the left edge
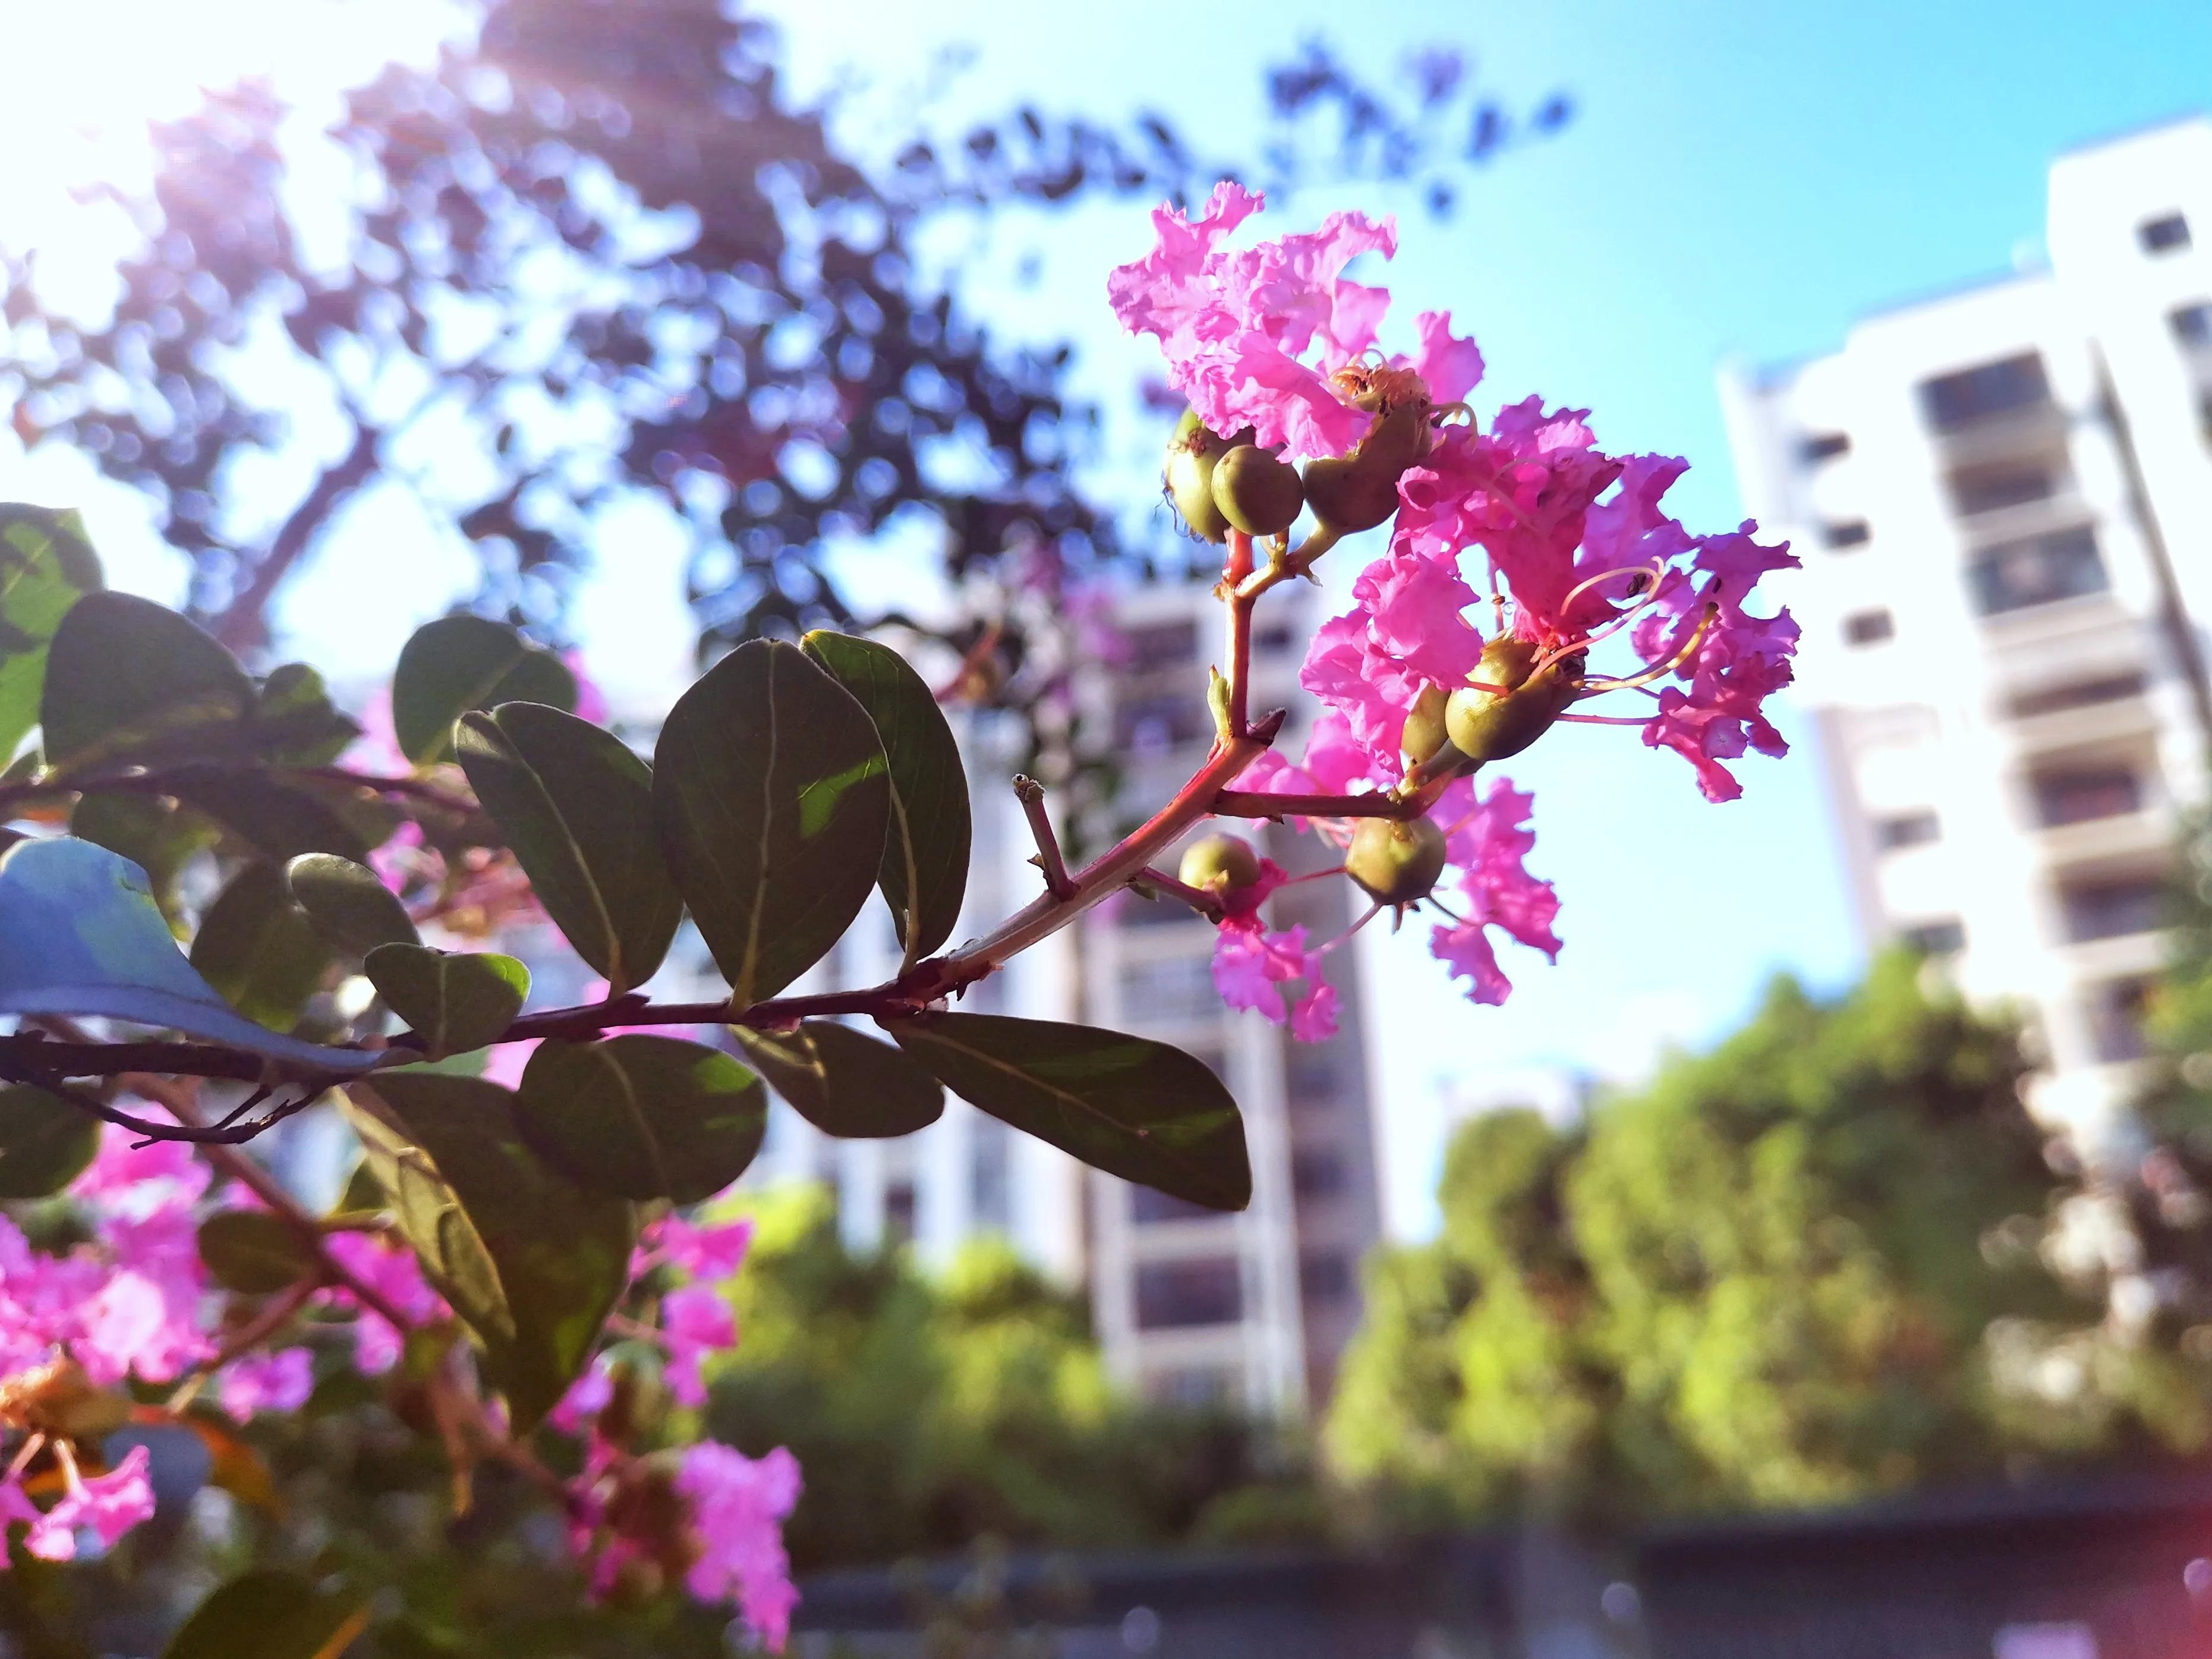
83,937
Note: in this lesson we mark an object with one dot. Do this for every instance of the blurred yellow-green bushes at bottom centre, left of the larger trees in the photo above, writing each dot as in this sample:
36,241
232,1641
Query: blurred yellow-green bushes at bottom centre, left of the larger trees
932,1415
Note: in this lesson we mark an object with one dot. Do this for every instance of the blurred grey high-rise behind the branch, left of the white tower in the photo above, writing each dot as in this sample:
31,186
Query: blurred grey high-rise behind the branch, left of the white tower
1258,1306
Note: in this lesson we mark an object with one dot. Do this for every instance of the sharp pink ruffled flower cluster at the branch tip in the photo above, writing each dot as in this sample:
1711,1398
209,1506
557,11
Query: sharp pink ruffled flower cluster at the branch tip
1525,525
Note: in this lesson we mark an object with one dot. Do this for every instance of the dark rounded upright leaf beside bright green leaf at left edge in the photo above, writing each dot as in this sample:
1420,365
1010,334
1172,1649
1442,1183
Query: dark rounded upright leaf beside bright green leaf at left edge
134,680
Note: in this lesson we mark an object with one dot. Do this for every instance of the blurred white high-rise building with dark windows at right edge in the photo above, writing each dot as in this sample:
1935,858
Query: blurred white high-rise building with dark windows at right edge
2005,505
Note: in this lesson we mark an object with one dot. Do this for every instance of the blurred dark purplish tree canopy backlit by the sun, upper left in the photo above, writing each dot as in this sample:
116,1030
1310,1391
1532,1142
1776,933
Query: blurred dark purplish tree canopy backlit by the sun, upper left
598,255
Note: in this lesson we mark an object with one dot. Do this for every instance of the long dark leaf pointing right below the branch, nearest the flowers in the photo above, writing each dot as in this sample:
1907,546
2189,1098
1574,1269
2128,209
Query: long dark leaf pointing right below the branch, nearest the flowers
1123,1105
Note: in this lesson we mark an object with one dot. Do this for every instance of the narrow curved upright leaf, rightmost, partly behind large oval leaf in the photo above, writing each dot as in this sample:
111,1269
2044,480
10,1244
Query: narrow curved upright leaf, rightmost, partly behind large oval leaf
926,853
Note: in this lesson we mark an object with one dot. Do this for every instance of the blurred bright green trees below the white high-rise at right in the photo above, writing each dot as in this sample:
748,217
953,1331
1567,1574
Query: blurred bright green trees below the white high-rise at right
1799,1271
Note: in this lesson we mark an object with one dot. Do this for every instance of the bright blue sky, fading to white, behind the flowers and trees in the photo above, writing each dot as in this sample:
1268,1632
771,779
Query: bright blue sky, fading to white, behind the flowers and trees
1738,180
